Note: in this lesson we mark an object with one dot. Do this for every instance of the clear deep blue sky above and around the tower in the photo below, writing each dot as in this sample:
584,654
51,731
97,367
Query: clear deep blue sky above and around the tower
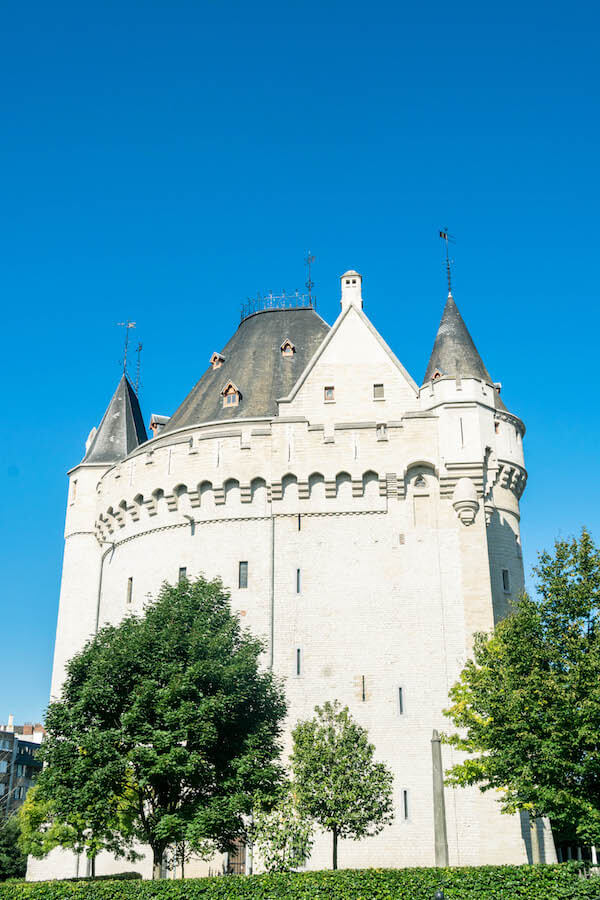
163,163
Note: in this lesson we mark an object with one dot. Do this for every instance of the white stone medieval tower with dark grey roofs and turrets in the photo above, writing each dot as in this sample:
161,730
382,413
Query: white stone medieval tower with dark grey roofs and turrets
366,526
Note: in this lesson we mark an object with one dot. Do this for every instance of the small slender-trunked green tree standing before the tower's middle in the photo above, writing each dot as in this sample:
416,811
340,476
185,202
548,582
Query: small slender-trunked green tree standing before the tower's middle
338,783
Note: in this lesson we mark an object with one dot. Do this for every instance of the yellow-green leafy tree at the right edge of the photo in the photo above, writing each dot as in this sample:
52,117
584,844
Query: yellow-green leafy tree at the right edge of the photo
528,703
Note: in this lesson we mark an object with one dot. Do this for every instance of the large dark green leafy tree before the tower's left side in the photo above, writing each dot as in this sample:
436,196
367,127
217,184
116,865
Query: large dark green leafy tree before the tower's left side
165,729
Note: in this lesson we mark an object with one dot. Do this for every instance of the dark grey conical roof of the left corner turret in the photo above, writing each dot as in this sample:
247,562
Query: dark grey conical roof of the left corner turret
121,429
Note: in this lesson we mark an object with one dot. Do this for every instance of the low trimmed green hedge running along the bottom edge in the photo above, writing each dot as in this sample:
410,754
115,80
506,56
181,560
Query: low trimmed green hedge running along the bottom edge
552,882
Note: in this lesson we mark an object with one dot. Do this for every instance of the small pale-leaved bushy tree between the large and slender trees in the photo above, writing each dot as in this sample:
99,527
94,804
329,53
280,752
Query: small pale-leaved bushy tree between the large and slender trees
282,835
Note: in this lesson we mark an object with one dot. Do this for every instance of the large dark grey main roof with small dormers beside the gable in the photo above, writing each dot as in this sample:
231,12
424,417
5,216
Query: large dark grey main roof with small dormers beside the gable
255,364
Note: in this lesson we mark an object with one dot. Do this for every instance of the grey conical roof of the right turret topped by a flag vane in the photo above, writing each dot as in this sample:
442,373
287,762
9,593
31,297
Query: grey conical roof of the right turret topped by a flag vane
454,352
